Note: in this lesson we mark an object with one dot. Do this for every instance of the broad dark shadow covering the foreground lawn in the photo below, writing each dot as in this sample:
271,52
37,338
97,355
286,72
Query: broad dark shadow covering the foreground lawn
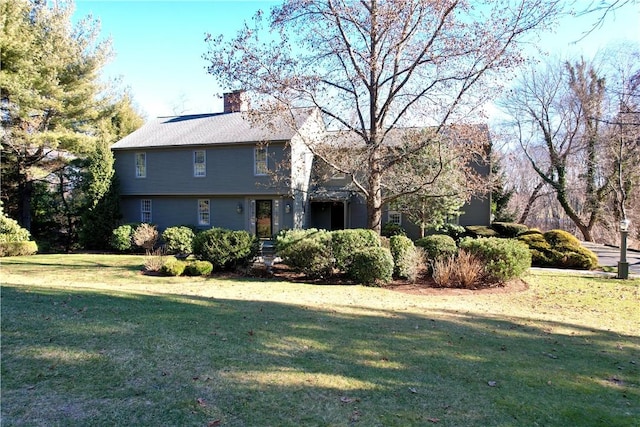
76,357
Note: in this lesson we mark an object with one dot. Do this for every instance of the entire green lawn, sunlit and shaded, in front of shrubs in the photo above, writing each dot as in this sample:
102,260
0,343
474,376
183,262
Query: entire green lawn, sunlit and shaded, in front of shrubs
88,340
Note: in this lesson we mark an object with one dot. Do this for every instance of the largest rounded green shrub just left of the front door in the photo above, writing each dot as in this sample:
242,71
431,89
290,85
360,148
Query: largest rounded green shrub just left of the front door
225,249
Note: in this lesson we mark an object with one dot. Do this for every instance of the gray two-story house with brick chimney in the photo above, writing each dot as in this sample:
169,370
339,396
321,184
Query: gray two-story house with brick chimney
228,170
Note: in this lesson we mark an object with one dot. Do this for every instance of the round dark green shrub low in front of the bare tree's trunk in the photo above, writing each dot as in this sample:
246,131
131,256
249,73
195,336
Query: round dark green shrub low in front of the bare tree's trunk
372,266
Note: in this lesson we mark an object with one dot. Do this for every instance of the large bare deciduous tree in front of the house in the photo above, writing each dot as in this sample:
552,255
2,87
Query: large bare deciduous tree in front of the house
374,66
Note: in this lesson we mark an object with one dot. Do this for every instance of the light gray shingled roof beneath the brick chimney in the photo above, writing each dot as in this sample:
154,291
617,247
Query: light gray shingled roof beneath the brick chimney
201,129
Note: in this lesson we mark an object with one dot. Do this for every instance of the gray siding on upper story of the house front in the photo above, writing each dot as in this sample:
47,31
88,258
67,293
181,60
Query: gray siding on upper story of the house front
229,171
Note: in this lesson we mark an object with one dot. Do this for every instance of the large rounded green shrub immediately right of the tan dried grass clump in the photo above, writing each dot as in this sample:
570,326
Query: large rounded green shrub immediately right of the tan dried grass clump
503,259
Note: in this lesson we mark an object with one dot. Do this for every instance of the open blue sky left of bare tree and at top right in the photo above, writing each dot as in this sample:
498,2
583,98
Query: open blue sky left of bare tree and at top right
159,46
